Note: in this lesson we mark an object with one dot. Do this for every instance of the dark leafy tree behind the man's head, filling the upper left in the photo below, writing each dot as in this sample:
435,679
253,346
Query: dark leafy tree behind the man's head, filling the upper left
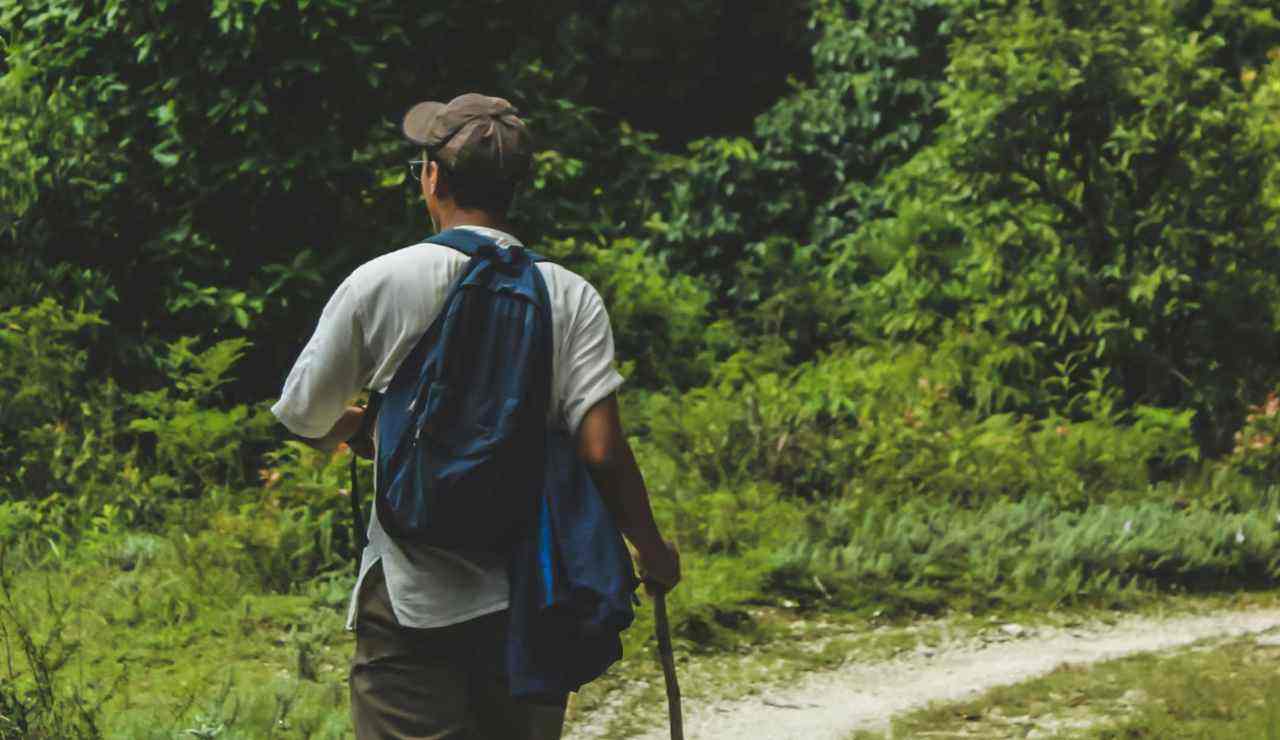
218,168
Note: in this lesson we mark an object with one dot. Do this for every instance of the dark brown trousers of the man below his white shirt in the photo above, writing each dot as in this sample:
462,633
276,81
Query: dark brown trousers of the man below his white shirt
440,683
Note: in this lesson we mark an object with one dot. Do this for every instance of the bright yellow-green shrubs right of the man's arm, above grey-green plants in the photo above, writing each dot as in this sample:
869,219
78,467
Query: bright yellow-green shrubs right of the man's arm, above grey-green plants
886,424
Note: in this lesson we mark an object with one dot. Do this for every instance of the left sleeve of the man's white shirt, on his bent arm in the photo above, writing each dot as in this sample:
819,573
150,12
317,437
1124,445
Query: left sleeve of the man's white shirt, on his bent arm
331,371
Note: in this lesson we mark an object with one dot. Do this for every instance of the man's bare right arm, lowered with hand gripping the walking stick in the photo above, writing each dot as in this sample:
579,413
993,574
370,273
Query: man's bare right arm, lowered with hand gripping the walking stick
604,447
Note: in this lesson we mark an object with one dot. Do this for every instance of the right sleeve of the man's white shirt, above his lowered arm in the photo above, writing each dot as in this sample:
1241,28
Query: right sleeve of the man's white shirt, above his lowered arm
588,366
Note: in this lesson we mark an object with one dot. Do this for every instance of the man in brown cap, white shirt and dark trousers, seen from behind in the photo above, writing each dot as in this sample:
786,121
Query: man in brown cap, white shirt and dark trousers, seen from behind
427,619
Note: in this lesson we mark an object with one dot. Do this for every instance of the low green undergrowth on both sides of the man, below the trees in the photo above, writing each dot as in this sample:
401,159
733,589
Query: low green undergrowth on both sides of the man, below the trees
176,569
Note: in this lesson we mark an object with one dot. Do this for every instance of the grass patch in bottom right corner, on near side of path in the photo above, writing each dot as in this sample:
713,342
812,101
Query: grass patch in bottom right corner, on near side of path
1214,689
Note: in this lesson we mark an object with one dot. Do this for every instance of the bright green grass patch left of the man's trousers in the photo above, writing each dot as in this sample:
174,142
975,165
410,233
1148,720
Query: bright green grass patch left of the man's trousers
163,648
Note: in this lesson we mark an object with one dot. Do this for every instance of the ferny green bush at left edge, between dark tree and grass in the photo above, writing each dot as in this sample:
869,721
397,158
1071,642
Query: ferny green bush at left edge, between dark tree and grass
88,458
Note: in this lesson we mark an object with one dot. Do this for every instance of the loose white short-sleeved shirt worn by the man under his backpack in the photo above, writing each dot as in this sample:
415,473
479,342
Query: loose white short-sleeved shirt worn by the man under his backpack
371,325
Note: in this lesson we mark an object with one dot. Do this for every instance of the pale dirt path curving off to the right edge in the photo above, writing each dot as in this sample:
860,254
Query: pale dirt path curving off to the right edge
865,697
